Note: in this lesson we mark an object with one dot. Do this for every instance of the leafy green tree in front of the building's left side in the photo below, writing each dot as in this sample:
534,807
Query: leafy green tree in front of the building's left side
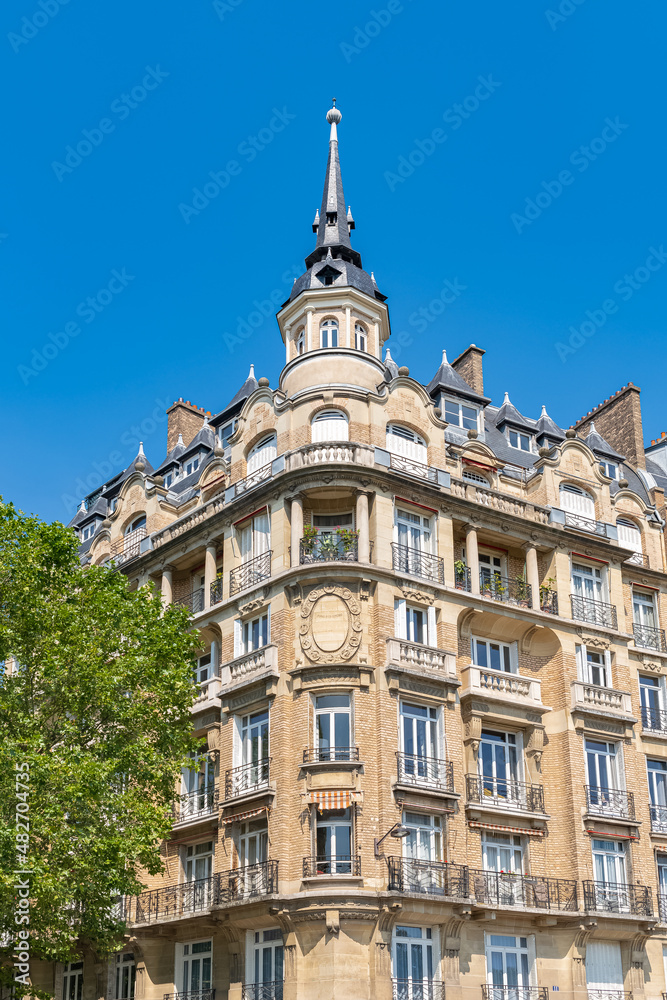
95,700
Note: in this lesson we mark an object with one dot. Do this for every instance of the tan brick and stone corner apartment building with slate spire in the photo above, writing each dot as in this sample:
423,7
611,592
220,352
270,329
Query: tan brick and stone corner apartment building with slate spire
431,689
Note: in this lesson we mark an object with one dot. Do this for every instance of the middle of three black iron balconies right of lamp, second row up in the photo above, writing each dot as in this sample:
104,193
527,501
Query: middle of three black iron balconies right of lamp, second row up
534,891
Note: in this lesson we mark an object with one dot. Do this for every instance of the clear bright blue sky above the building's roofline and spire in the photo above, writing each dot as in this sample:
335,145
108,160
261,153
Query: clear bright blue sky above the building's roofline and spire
516,150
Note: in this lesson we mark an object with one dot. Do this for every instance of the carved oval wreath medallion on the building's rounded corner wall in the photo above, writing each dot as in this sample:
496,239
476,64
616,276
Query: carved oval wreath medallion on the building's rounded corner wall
330,628
